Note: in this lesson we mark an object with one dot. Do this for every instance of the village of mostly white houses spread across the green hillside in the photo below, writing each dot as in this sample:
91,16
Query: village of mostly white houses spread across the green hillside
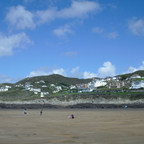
133,82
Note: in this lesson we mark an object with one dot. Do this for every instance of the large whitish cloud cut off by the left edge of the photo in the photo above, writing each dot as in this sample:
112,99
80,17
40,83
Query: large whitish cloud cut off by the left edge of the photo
8,44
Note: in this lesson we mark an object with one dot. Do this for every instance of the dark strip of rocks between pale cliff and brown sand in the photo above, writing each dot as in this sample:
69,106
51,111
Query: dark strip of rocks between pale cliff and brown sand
75,106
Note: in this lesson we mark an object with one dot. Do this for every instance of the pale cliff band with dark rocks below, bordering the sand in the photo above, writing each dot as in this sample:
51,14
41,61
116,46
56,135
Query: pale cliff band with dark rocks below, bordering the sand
79,103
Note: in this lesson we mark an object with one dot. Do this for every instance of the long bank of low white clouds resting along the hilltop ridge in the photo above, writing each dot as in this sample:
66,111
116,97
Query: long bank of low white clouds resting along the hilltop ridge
107,70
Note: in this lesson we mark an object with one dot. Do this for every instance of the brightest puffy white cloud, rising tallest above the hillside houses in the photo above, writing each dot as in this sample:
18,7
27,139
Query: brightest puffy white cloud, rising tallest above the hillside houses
107,70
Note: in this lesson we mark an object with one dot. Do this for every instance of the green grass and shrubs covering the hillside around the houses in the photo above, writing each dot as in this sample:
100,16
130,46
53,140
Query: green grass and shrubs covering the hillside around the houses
19,93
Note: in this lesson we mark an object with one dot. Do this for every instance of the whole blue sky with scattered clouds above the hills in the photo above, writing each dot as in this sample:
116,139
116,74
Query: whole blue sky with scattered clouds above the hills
73,38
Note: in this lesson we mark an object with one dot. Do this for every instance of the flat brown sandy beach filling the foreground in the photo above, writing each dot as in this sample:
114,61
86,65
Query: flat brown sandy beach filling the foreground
92,126
